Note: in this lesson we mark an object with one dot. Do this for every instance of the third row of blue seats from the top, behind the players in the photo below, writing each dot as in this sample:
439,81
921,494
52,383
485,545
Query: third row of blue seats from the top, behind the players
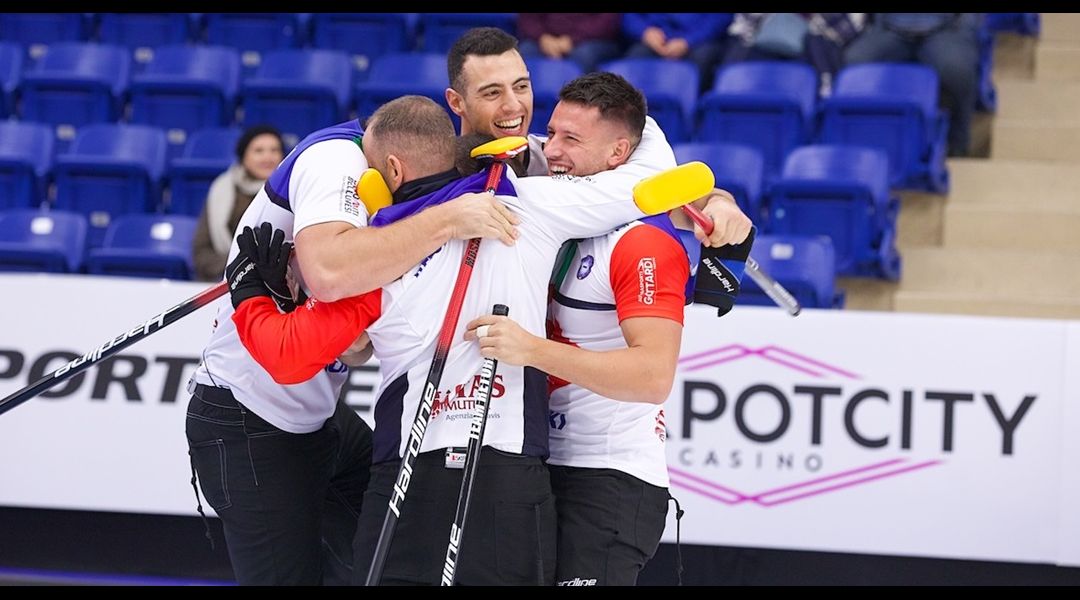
114,170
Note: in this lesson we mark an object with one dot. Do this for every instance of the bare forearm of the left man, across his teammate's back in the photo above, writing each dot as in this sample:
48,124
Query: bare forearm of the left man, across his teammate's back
357,261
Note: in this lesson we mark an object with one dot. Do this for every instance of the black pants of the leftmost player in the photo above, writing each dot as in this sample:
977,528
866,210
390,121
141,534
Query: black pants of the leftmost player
289,502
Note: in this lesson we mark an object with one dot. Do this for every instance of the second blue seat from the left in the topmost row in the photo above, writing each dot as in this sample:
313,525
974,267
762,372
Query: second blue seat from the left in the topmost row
143,33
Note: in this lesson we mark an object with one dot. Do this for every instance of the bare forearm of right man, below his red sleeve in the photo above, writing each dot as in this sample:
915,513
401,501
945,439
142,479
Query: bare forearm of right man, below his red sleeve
629,375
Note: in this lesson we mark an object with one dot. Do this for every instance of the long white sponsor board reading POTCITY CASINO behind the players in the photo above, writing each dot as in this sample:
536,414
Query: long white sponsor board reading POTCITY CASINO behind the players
881,433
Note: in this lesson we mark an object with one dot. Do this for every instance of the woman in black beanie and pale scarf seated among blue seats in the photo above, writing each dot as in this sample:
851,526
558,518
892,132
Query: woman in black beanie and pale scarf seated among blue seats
259,153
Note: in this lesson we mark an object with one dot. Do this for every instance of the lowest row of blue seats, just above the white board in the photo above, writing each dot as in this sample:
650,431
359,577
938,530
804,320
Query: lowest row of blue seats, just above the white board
160,247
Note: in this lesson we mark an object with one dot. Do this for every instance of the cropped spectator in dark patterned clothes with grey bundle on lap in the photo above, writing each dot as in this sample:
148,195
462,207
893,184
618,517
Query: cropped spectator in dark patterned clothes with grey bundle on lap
817,39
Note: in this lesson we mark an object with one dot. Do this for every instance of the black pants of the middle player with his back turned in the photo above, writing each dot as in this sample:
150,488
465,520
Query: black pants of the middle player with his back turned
509,538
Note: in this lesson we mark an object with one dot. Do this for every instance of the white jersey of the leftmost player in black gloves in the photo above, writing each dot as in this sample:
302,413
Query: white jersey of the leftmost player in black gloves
321,189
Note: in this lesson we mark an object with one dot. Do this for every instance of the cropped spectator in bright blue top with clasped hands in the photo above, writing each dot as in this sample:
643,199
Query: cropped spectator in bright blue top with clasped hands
697,37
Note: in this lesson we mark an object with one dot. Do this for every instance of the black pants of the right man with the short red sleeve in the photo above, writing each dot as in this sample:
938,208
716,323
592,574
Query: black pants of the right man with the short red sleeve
610,525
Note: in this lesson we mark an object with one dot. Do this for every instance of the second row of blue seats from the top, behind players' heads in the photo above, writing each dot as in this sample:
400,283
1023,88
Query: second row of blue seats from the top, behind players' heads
772,105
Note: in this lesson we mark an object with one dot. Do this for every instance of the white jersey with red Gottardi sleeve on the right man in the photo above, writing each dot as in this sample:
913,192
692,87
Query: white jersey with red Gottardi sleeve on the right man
636,271
